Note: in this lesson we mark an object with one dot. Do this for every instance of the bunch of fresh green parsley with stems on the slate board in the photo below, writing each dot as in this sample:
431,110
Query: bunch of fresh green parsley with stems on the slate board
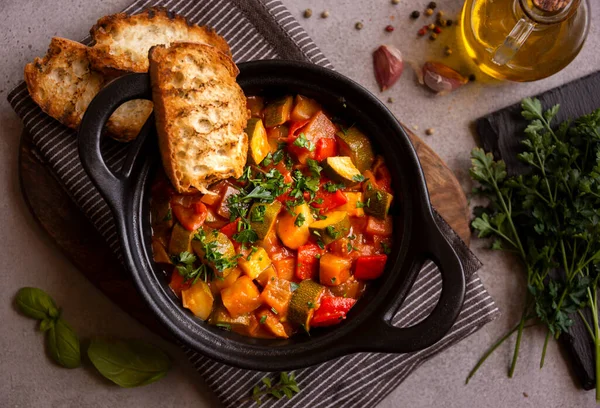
550,218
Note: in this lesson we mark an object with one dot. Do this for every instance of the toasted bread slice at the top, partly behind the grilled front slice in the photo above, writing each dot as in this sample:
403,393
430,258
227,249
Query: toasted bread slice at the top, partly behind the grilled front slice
122,41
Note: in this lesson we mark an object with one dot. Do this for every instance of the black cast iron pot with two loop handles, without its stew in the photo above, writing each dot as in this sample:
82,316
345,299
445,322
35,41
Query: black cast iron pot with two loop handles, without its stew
367,328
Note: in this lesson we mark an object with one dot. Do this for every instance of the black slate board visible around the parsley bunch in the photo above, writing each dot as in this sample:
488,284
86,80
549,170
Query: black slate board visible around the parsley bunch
500,133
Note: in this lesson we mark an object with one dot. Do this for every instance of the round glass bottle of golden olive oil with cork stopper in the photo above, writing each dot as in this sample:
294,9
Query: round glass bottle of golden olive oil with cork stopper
524,40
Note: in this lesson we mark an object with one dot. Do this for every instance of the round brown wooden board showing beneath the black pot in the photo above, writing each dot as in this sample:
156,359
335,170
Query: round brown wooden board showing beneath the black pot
76,237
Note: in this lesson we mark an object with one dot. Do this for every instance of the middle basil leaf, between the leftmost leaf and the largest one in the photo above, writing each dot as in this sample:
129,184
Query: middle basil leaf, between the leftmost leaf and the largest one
63,344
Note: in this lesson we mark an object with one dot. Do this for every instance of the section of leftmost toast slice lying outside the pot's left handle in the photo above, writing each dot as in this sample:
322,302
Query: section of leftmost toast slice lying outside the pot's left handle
63,82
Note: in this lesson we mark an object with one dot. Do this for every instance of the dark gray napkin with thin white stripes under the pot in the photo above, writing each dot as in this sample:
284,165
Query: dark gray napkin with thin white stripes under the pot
264,29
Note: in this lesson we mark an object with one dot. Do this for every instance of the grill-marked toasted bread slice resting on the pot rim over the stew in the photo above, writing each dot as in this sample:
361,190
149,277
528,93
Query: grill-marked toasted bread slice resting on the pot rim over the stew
200,114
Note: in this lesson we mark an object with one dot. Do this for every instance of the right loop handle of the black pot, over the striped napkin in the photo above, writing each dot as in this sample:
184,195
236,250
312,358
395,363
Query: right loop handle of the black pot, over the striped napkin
379,335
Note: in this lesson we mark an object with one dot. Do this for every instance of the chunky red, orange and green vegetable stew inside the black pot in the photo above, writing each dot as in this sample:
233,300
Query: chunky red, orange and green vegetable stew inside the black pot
292,243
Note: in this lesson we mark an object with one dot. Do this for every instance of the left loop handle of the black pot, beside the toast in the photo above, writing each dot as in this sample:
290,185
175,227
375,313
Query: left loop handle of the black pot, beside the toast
113,187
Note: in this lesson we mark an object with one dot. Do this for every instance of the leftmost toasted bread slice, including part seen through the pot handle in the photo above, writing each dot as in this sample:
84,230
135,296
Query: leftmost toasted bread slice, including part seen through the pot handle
63,84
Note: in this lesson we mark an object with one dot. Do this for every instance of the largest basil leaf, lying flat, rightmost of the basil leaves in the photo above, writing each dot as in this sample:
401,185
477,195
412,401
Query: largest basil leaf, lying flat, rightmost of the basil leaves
130,363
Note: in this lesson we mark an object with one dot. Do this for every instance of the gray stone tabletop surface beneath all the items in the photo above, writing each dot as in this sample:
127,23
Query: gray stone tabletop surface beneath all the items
28,379
